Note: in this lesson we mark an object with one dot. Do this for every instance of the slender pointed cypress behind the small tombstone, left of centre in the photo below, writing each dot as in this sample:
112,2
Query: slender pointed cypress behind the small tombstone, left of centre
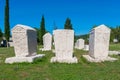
42,30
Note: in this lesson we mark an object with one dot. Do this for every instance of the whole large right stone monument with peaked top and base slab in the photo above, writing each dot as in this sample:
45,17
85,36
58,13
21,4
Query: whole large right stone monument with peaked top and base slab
99,44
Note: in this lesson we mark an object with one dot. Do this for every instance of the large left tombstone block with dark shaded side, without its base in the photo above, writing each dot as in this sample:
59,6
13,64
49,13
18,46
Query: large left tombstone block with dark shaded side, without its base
25,40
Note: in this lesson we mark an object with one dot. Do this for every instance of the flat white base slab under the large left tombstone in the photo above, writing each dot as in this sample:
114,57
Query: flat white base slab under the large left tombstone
28,59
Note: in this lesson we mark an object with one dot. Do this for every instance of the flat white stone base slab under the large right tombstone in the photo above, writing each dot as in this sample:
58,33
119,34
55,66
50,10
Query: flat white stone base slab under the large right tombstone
90,59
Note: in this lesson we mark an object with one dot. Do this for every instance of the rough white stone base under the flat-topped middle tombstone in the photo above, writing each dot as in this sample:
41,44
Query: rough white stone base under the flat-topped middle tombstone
66,60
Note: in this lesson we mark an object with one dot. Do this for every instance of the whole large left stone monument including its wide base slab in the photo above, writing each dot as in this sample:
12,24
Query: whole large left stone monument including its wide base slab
25,44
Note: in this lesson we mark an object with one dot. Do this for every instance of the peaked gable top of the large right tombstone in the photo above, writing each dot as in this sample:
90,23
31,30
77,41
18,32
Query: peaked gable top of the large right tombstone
101,28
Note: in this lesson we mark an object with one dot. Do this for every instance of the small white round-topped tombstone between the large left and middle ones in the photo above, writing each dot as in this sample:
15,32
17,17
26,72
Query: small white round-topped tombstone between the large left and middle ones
47,41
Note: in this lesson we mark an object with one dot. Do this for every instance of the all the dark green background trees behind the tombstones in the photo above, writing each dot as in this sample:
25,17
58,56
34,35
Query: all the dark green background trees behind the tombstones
115,32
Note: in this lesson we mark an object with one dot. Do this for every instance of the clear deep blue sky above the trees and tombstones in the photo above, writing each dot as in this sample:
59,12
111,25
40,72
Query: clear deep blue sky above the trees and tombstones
83,13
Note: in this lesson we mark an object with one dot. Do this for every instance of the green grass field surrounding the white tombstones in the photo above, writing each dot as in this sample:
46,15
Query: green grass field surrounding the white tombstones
42,69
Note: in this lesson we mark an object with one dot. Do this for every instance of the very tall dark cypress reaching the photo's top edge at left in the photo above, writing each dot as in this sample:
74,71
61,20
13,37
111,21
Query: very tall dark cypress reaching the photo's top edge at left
7,25
